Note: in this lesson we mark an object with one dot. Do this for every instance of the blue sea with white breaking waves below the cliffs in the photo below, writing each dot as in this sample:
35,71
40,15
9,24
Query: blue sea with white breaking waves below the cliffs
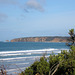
16,56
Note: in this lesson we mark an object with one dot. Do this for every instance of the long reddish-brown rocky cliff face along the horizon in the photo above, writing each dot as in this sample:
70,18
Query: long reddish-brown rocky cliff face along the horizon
41,39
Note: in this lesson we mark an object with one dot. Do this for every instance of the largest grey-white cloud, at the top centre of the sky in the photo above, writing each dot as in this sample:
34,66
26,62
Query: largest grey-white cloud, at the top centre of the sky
34,4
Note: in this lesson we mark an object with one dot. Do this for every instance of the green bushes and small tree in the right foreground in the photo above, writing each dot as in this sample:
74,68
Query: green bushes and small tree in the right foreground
61,64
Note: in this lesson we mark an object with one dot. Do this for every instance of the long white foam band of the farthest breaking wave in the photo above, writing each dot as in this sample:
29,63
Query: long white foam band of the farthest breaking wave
24,52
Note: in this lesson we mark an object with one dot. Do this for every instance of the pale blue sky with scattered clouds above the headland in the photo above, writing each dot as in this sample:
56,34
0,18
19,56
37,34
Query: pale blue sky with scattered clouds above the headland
32,18
